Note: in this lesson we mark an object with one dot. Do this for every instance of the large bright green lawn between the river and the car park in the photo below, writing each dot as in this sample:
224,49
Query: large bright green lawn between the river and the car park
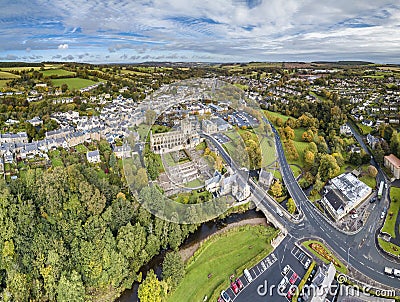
221,256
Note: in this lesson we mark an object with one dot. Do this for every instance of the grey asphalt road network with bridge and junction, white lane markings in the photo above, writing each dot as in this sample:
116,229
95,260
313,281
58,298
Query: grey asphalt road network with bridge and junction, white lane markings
359,249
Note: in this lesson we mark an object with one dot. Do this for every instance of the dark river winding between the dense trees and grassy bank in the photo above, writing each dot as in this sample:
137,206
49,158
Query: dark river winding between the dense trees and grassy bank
205,230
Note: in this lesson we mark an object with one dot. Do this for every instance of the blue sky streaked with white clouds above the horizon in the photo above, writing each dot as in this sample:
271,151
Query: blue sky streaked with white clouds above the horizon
128,31
